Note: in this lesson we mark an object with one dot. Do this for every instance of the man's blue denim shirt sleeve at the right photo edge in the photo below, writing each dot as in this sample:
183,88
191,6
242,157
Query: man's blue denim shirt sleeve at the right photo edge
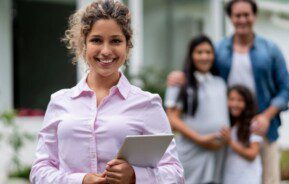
281,80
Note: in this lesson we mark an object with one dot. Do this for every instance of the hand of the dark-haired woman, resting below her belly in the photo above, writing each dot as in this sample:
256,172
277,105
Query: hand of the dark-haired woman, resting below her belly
210,141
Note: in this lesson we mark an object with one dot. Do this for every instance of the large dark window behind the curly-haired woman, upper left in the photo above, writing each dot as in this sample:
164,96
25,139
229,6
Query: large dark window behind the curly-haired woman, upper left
41,62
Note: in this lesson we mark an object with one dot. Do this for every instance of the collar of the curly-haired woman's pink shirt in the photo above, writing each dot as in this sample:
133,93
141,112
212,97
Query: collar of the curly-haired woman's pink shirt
123,86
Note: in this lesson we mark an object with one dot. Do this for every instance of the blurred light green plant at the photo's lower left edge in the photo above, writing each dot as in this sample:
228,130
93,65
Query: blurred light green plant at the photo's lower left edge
16,139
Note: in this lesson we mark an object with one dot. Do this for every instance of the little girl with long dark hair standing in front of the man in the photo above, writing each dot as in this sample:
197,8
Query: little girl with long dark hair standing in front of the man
243,163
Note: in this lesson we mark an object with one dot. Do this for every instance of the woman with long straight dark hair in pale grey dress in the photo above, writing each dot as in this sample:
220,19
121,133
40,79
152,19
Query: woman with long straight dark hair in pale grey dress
198,111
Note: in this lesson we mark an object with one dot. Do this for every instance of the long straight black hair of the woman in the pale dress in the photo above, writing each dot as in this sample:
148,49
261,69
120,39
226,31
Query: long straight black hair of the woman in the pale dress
189,69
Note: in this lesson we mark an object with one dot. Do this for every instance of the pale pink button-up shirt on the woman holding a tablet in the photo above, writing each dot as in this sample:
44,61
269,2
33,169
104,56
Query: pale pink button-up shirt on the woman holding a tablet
78,137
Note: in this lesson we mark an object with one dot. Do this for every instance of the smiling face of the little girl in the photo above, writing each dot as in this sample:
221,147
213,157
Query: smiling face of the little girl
236,103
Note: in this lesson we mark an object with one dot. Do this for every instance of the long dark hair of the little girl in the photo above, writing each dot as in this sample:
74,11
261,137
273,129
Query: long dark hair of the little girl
245,118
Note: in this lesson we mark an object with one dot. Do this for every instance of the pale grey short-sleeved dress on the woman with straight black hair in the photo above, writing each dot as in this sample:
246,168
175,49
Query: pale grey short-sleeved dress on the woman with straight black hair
202,165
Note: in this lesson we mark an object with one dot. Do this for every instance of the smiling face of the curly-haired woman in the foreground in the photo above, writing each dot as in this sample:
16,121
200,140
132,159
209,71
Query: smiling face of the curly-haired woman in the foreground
106,48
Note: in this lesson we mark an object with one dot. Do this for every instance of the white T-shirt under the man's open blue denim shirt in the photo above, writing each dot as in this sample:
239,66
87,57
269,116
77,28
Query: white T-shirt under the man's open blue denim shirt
241,72
